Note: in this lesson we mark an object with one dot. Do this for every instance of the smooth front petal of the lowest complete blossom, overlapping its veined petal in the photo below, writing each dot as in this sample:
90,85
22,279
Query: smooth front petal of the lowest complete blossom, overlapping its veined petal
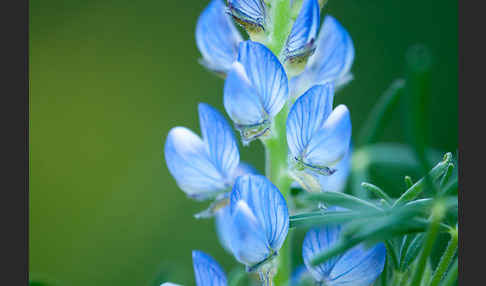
247,237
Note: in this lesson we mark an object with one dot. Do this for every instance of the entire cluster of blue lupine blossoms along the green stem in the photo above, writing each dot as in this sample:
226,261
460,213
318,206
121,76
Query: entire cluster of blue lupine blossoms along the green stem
268,83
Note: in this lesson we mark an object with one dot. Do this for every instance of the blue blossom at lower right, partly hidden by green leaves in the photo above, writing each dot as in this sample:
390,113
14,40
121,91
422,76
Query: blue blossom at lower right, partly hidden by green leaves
359,266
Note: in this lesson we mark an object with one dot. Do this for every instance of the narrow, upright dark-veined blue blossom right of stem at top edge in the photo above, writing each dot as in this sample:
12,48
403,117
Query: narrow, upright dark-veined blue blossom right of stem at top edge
300,43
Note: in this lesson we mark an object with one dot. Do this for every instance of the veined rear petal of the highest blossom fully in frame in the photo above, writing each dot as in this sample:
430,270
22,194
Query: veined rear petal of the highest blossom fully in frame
265,74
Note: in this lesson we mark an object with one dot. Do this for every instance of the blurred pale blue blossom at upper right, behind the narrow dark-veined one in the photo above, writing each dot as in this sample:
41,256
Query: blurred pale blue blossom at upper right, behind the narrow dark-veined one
331,61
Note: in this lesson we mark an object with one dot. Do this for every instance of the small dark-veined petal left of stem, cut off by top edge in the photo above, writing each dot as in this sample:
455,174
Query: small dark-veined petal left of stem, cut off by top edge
249,11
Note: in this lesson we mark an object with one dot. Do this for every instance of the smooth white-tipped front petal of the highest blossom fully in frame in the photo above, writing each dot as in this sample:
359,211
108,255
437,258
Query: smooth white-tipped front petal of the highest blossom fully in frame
241,100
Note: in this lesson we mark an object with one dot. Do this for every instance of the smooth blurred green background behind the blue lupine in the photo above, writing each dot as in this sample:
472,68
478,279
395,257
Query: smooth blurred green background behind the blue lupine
110,78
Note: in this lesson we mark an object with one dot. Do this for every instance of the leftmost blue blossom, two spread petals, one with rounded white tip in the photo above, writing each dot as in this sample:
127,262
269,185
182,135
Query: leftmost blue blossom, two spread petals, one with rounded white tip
203,168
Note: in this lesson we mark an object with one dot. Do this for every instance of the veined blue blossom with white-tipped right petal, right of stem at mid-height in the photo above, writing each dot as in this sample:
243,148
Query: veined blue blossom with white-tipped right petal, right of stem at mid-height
318,136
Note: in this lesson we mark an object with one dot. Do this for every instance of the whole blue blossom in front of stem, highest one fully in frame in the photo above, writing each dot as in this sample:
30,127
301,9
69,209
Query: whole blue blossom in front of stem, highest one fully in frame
255,90
